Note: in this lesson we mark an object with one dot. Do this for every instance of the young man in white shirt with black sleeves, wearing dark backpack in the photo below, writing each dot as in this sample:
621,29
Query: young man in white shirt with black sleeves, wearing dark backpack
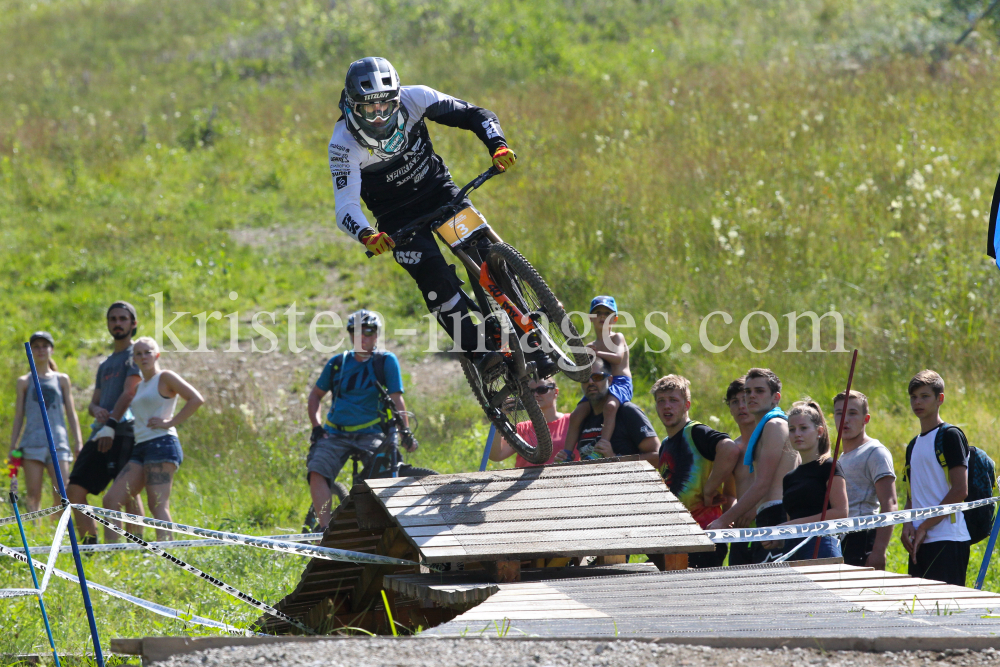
941,469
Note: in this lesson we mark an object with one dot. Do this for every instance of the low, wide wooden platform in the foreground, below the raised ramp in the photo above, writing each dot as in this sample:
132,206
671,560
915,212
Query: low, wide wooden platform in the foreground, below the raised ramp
741,606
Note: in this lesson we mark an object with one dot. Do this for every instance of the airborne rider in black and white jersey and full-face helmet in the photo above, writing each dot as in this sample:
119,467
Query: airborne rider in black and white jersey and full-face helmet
381,153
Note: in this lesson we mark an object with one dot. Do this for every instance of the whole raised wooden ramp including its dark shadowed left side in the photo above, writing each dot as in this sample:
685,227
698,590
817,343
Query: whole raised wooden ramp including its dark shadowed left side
493,522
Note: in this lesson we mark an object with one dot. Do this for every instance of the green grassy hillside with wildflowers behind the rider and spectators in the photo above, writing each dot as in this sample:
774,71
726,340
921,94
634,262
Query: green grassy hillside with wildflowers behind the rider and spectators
645,132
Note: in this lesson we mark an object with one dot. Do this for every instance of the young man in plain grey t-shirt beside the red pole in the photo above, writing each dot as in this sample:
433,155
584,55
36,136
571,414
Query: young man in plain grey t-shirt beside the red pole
871,482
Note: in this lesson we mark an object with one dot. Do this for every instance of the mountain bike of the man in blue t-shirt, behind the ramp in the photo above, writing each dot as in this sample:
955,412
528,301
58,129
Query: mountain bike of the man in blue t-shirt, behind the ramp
386,461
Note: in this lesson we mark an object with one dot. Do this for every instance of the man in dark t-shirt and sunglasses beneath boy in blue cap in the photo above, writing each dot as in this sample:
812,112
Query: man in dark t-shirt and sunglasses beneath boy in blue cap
633,434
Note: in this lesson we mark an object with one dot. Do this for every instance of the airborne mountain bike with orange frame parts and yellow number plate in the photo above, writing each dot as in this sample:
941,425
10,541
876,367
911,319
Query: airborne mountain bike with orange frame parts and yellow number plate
520,318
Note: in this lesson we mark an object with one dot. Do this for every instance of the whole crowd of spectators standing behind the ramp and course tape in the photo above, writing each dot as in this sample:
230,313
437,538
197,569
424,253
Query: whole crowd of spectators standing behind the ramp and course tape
776,471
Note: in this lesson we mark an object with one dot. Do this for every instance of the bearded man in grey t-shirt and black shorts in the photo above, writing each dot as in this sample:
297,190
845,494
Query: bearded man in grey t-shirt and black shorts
110,444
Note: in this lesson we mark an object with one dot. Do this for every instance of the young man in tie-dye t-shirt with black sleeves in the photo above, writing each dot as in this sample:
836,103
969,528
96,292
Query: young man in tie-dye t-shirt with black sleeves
695,461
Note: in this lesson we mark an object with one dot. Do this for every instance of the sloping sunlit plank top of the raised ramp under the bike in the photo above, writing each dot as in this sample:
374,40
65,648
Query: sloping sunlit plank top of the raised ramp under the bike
578,509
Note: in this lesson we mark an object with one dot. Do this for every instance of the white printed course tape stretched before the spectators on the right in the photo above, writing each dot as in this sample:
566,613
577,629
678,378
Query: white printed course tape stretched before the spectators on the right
838,526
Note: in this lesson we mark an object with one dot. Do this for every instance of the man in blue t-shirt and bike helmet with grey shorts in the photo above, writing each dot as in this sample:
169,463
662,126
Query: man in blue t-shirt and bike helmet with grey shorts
356,416
